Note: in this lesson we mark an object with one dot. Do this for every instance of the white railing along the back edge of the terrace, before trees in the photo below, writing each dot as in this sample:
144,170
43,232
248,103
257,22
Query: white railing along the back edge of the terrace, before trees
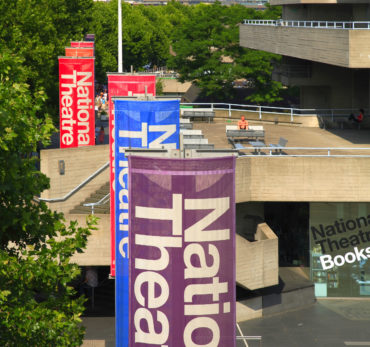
261,110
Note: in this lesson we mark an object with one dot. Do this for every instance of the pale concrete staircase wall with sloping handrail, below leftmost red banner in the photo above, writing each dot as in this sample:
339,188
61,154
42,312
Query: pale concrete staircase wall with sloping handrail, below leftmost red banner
80,163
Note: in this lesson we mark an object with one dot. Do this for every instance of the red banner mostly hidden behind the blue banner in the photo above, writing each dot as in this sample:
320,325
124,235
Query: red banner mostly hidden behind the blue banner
122,85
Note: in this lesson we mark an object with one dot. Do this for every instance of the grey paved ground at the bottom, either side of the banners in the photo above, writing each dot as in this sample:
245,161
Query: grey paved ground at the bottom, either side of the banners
328,323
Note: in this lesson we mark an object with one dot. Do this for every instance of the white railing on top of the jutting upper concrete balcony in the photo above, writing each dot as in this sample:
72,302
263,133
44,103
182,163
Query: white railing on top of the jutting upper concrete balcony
358,25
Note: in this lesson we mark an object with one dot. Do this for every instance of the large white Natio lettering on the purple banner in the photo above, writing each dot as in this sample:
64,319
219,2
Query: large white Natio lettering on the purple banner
197,233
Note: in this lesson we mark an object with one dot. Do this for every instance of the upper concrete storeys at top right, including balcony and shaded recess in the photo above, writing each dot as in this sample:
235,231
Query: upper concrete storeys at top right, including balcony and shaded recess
325,48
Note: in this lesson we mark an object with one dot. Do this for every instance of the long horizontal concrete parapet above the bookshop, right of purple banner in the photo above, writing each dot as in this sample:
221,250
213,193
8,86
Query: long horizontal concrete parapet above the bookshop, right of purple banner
302,179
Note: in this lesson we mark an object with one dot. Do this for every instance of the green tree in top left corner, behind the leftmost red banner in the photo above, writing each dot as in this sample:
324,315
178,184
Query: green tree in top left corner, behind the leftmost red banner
38,31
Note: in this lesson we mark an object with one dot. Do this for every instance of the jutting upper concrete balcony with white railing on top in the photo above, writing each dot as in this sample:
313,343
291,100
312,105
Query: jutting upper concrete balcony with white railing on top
345,44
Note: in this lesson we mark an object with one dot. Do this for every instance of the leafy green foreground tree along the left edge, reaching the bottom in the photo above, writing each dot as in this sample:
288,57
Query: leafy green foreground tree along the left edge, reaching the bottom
36,301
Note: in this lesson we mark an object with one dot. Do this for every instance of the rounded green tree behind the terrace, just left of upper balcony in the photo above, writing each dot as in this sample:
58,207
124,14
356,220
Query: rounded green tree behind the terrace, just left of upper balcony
201,44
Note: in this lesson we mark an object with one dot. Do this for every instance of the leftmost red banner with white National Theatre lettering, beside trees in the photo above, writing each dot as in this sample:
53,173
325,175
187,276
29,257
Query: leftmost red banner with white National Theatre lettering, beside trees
76,102
